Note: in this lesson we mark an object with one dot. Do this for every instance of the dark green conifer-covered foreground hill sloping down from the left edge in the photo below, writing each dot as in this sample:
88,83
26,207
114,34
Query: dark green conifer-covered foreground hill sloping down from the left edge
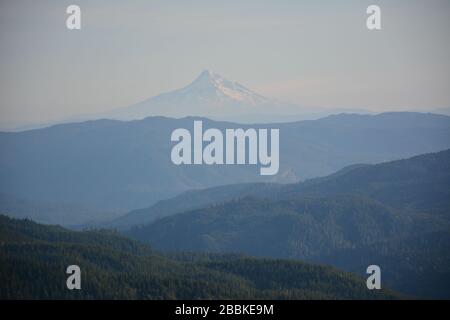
34,257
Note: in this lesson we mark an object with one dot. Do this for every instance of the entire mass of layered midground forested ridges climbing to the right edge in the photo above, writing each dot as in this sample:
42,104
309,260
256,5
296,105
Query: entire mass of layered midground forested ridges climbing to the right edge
394,214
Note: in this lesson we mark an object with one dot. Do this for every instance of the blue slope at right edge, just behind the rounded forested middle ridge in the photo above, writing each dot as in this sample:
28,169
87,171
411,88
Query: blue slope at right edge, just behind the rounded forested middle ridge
421,183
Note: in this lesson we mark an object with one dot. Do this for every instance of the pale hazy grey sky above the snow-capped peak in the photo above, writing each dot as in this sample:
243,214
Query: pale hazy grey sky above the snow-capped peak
313,53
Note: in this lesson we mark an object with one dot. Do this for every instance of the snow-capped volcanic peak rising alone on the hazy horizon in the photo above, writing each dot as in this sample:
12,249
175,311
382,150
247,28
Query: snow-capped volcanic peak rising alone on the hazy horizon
213,96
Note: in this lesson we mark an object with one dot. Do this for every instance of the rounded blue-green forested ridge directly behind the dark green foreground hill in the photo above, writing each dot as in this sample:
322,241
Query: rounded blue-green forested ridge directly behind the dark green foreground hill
295,228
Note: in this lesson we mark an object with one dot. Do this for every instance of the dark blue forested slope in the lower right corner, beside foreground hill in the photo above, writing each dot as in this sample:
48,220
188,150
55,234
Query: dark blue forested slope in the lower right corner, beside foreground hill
418,264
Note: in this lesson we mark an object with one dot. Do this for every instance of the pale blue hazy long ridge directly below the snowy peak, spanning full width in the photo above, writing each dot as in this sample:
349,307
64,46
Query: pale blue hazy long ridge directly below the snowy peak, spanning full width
115,166
